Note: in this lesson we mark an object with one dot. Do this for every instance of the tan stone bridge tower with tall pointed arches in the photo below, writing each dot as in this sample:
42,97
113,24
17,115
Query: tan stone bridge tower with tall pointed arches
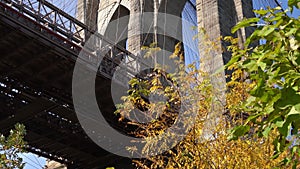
217,17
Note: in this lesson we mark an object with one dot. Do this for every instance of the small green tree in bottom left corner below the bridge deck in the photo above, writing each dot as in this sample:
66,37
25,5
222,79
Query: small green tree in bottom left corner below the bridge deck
10,147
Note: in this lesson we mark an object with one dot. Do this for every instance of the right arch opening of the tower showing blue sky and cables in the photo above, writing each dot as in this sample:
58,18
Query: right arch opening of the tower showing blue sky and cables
185,9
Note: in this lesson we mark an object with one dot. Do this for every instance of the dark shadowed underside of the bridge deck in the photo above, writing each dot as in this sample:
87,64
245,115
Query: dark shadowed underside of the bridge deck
35,89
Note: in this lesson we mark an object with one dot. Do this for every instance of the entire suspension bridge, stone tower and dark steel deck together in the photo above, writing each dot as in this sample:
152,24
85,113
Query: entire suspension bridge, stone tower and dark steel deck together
40,42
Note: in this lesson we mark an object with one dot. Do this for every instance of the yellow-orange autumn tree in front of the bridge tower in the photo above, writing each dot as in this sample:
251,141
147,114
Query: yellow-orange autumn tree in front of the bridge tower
193,151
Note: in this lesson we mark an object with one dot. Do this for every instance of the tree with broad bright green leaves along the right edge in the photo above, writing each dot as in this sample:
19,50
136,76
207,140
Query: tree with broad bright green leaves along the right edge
273,68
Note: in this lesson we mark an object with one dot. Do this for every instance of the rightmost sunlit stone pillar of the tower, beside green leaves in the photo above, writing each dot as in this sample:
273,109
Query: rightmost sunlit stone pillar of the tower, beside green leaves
217,18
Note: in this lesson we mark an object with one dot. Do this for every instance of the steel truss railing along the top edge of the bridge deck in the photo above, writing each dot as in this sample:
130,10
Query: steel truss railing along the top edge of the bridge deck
69,28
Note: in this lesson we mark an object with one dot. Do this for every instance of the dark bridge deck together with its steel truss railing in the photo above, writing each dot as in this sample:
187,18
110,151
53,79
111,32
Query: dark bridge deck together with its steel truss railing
39,45
